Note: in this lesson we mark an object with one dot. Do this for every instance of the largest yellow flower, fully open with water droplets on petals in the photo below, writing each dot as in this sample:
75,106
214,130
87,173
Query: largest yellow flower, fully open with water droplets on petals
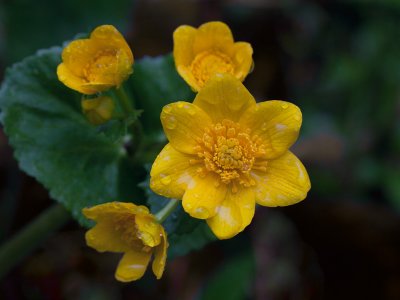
226,153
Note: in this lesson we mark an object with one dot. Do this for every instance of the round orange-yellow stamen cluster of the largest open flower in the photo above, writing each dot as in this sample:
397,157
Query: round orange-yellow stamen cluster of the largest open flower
228,150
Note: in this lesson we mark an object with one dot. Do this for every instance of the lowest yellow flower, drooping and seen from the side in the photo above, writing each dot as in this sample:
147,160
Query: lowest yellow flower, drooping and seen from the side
132,230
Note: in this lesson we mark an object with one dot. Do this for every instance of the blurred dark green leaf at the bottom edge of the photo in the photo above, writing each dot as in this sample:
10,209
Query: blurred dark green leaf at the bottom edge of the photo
232,281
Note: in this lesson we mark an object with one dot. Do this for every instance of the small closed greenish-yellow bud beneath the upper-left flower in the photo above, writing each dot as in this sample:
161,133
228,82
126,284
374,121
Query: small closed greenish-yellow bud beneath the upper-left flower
98,110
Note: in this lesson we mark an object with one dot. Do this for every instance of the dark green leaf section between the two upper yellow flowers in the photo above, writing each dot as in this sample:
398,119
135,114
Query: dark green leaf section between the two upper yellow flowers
155,83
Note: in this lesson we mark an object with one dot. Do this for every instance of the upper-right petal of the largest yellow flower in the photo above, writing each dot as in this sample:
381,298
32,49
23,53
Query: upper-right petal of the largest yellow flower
277,123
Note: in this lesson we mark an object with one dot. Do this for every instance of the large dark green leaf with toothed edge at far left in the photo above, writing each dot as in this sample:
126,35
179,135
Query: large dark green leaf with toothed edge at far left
80,164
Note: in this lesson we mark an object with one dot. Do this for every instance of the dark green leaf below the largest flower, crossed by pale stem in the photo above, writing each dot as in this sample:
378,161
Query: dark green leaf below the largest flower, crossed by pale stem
185,233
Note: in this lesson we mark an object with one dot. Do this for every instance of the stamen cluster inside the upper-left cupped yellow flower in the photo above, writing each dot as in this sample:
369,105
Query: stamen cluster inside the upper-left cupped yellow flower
102,68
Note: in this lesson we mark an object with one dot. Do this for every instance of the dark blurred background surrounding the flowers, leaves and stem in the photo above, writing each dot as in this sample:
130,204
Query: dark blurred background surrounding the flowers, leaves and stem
339,61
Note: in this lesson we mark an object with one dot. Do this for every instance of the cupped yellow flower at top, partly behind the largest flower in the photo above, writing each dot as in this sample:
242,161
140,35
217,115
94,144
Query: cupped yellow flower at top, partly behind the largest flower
201,53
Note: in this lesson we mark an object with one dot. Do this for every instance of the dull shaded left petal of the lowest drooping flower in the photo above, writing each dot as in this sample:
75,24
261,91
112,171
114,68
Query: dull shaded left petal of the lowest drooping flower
103,237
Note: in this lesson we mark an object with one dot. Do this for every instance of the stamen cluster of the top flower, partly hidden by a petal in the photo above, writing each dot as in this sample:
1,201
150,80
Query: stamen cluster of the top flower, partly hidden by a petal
208,63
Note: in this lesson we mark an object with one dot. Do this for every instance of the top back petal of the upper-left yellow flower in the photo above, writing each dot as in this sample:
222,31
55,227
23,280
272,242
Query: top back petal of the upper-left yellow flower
108,37
